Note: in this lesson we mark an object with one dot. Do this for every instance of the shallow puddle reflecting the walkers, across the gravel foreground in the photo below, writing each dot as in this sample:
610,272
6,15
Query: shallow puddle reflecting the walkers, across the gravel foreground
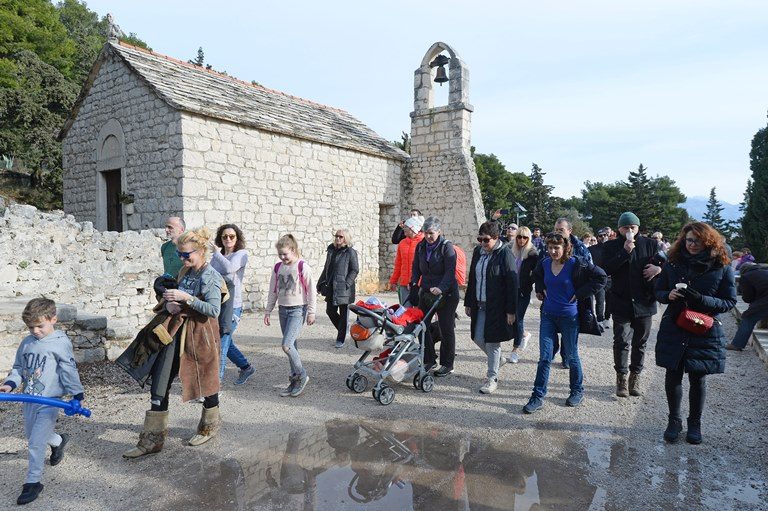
399,466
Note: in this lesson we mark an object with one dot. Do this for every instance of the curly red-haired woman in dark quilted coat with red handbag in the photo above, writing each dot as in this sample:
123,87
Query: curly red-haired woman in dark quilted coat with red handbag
697,277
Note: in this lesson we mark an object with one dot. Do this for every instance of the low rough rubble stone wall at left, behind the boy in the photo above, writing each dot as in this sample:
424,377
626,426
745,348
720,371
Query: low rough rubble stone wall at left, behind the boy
100,273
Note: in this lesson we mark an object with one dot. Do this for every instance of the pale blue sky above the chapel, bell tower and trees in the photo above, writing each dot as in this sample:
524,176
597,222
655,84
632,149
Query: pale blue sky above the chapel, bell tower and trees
588,90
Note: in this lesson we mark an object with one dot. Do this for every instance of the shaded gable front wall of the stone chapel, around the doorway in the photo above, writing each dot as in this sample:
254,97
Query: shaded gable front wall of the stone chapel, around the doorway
122,124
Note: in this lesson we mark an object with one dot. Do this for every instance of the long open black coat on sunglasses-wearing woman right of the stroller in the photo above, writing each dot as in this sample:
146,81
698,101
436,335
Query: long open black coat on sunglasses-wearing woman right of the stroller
500,294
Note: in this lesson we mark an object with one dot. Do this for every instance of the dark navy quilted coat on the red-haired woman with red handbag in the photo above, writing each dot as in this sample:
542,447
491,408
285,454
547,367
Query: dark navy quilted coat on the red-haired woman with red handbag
703,354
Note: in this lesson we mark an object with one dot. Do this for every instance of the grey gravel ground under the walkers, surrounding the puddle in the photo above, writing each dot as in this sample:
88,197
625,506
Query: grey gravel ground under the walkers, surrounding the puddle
618,441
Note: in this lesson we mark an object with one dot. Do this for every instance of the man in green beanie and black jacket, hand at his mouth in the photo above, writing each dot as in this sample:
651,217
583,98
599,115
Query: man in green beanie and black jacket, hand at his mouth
632,262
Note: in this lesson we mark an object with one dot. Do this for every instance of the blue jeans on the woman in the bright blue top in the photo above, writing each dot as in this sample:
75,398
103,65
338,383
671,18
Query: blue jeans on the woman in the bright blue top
568,326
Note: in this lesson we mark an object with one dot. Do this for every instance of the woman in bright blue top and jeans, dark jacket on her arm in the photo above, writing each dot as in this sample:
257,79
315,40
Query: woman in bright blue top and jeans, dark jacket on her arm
561,280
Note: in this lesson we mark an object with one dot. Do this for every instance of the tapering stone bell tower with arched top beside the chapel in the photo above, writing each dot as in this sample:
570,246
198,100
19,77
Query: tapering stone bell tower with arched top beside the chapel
440,178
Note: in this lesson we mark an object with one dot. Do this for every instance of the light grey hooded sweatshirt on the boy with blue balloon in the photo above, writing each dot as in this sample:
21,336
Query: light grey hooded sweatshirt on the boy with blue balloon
46,367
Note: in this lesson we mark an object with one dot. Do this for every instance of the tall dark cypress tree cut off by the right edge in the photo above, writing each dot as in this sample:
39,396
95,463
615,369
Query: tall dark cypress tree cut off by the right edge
755,223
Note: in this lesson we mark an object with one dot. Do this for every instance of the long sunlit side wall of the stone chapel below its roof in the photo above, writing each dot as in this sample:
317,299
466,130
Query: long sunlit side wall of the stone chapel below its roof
270,184
